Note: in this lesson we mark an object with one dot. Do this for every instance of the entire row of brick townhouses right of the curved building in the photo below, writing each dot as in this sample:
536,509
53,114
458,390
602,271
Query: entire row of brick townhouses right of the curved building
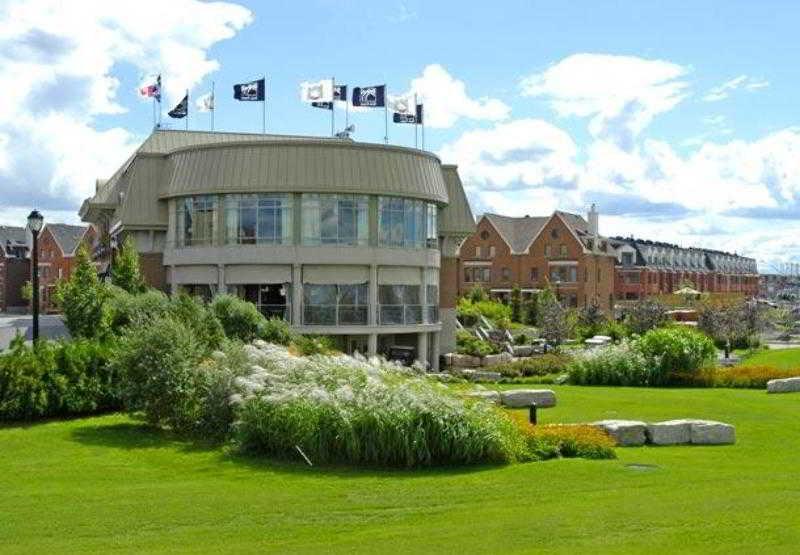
567,253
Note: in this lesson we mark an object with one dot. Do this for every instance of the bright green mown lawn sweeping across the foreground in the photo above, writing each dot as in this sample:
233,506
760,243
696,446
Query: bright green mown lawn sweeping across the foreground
108,484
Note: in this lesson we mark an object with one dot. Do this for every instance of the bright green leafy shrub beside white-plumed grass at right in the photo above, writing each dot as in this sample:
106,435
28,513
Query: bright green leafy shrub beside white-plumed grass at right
675,349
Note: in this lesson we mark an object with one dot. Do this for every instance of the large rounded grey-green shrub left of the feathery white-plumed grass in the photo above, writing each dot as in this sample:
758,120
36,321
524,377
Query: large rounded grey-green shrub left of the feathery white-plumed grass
157,363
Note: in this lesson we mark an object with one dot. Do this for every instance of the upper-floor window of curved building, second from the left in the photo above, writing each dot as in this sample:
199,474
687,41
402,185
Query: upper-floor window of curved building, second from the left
258,219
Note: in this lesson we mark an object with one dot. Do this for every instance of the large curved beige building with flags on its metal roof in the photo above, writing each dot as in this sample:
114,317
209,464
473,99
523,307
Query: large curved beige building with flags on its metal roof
337,237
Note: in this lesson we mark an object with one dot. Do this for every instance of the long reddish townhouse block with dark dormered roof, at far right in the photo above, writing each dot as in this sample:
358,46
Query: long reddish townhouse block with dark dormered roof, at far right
646,268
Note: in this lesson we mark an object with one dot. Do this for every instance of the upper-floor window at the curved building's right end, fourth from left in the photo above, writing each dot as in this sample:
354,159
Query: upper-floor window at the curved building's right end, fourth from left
402,222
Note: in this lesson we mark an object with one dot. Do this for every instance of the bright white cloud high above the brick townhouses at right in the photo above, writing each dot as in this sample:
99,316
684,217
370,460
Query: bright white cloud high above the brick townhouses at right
621,94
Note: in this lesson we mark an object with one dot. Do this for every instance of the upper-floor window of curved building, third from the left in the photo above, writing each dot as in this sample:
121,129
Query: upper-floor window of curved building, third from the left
335,219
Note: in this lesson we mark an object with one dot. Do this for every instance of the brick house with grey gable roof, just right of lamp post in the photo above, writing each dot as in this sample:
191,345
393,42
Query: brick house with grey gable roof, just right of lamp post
58,244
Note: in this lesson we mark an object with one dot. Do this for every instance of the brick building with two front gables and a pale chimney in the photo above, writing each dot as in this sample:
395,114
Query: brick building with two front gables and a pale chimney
563,251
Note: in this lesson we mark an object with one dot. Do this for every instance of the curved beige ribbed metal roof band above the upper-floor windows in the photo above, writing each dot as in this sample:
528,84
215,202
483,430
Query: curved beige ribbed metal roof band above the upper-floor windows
302,165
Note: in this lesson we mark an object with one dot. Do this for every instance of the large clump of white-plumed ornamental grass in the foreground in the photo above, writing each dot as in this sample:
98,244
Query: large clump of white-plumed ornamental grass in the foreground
338,409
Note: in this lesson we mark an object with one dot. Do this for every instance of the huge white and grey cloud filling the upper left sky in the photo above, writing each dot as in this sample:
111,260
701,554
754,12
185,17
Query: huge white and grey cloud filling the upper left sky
57,69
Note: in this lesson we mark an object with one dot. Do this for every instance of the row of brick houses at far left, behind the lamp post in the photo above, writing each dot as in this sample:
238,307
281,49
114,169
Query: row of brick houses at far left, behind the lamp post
58,243
